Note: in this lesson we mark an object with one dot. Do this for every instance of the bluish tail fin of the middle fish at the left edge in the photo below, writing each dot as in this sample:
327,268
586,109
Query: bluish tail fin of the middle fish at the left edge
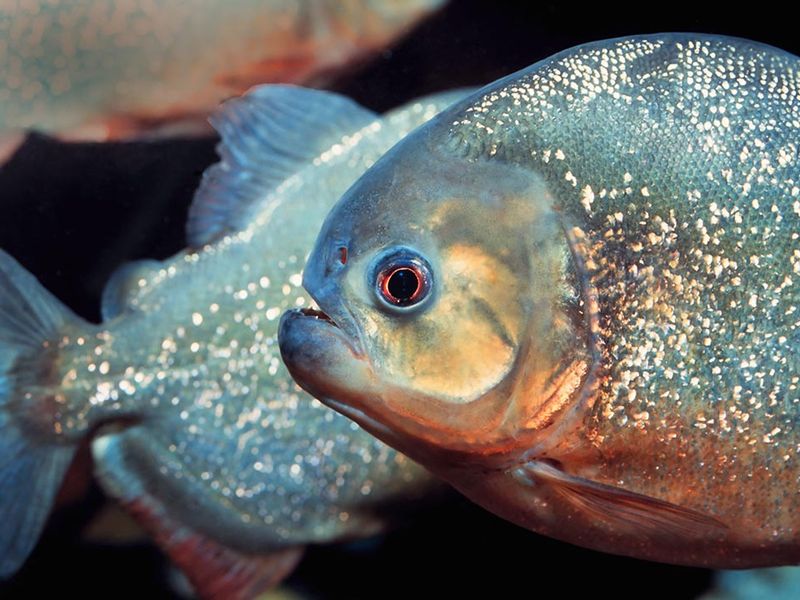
33,460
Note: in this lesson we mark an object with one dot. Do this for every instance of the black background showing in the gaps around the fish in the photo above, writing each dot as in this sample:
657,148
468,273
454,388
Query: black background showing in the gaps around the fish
71,213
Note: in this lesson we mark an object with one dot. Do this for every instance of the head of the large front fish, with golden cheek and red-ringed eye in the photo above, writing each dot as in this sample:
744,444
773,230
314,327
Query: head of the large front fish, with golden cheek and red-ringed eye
447,301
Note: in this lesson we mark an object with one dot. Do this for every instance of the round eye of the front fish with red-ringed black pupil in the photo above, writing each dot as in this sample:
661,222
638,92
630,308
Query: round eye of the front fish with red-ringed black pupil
402,279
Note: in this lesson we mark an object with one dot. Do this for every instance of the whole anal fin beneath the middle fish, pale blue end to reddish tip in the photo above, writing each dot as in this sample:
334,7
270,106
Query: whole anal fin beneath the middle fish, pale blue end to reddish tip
214,570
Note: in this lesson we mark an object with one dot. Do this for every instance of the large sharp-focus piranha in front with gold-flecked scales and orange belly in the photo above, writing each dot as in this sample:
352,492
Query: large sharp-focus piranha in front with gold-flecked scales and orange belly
574,296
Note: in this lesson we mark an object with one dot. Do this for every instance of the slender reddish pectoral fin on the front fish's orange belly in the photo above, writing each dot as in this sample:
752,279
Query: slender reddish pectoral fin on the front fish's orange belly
639,514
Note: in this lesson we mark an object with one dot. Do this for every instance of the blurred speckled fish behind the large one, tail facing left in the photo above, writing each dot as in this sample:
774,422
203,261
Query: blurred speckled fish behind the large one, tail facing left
196,426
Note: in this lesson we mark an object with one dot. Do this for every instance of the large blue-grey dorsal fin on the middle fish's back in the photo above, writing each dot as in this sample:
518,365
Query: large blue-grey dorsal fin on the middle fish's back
267,135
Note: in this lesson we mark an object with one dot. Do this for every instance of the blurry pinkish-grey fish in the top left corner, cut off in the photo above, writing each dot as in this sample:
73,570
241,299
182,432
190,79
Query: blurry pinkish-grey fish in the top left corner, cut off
111,69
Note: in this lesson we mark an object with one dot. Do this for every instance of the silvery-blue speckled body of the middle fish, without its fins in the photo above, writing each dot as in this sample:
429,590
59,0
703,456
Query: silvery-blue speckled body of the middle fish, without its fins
202,415
